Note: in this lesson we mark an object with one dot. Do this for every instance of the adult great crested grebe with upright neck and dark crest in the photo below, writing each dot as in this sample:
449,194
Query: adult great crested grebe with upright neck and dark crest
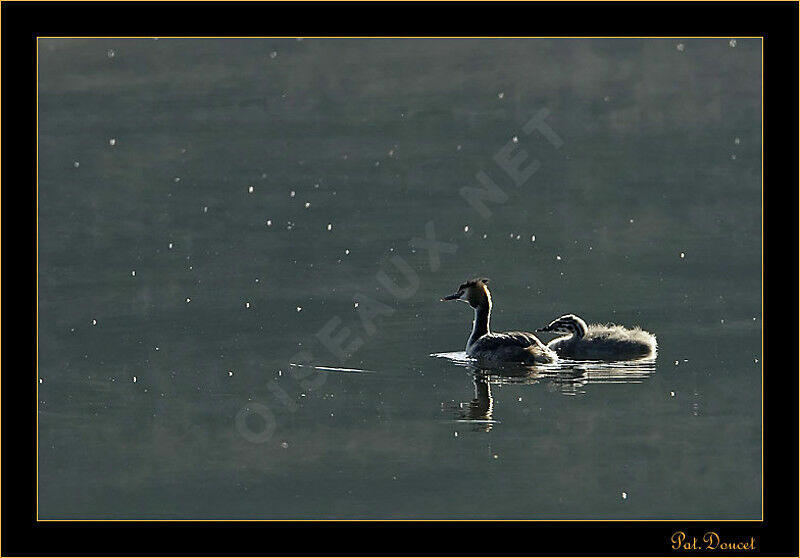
513,346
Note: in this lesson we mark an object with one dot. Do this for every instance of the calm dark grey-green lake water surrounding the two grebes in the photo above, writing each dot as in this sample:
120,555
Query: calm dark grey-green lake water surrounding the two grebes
213,212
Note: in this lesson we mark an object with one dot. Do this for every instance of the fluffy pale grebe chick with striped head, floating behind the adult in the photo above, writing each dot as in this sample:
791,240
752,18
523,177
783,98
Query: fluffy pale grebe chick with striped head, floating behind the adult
599,341
